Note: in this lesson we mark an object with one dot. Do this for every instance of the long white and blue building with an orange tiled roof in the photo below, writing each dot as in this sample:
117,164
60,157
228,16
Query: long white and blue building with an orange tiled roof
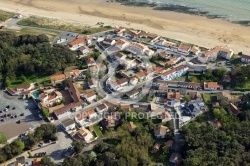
174,73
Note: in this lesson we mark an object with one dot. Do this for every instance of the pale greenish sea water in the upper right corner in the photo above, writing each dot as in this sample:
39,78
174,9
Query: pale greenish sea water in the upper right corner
233,10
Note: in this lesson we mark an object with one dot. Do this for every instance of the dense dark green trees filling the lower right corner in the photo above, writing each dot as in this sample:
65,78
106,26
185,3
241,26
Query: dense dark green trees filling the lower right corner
203,144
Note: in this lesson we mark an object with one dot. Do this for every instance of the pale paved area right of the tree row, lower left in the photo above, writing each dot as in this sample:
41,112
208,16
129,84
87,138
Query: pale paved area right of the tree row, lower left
57,151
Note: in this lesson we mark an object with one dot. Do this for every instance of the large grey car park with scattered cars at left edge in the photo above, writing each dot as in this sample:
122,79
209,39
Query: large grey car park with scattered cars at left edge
11,121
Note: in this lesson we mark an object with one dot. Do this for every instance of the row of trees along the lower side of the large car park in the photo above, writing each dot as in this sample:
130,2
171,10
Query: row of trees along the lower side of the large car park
44,132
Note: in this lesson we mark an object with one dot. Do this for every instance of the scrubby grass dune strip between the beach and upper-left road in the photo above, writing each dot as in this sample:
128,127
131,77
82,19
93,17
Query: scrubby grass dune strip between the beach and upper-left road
59,25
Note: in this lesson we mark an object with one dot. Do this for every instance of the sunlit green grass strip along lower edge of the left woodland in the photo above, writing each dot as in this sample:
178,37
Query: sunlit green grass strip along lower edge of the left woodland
30,79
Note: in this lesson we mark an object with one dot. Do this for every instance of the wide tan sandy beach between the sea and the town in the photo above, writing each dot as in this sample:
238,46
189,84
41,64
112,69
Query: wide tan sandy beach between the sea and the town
188,28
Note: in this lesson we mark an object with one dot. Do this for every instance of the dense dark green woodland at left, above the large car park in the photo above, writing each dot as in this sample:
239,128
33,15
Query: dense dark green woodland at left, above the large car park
30,58
